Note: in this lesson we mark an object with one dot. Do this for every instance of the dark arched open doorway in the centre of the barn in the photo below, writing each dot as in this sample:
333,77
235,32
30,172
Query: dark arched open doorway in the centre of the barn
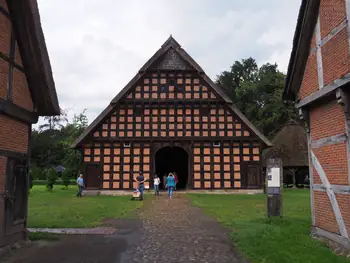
172,159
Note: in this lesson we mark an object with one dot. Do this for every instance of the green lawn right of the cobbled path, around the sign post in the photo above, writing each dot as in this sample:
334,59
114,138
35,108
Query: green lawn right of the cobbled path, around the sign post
263,240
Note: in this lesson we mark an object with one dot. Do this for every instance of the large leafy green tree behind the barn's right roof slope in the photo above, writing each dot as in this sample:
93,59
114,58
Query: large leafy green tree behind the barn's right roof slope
257,92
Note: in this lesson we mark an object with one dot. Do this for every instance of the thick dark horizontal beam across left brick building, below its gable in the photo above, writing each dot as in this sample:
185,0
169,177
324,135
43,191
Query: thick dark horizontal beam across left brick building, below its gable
12,110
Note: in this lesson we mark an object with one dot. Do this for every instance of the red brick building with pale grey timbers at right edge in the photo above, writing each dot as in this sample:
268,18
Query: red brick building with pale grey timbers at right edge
318,79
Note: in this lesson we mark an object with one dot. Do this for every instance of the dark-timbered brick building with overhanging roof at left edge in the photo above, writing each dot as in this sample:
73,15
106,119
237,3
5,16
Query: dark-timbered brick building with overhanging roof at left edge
27,91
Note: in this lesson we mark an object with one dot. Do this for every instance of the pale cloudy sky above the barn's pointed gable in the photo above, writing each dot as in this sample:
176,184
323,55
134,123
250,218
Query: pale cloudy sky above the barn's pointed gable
97,46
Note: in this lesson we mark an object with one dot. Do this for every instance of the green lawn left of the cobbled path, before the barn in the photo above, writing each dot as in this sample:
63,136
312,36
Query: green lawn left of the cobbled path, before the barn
61,208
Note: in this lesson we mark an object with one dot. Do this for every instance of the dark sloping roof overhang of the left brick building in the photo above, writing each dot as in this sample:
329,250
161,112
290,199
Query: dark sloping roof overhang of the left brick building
31,42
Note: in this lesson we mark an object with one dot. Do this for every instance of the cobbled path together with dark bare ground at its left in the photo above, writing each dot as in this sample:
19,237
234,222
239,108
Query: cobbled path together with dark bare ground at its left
167,231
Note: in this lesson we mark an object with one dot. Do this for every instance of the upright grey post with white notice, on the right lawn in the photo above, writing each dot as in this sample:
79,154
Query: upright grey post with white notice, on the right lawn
274,185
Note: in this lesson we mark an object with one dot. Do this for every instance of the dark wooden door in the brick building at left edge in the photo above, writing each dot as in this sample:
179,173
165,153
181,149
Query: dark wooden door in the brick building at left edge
16,195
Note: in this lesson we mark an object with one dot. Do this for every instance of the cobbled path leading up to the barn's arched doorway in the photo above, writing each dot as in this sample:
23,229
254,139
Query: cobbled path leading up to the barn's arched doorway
174,231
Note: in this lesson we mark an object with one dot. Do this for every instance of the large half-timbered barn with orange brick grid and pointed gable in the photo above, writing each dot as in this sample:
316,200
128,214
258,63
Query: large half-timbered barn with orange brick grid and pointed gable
171,117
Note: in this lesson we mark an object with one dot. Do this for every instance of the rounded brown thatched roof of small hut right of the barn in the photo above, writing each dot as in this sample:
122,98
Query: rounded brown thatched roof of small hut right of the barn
290,144
